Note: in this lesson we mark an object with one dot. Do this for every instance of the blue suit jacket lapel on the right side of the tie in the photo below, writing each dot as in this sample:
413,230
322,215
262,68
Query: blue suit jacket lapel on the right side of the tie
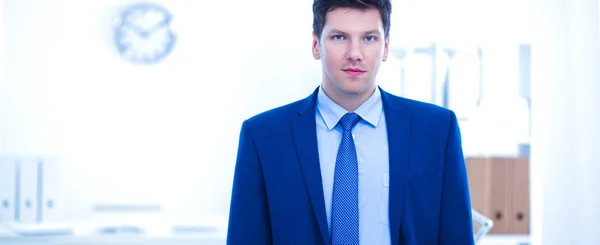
398,128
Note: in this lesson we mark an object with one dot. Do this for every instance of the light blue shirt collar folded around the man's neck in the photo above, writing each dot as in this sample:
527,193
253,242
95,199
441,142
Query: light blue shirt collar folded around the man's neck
369,111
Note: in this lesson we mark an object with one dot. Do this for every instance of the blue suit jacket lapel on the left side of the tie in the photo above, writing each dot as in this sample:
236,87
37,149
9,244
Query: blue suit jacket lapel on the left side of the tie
305,138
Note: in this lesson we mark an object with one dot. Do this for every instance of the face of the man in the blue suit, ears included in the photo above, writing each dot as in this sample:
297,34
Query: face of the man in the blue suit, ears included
351,48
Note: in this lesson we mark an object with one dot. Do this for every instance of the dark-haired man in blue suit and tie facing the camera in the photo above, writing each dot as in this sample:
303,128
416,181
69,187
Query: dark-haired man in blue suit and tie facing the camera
351,164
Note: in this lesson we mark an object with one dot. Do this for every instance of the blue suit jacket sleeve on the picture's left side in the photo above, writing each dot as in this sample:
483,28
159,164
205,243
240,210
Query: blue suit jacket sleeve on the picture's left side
249,214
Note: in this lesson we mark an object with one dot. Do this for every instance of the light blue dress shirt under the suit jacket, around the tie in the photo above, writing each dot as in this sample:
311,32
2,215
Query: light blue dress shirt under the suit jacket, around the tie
370,139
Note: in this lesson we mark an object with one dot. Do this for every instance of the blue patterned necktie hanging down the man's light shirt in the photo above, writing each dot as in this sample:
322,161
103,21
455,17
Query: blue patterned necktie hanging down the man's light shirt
344,203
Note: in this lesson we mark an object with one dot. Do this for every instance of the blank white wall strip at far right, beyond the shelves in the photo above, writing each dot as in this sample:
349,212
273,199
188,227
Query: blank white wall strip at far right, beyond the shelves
566,113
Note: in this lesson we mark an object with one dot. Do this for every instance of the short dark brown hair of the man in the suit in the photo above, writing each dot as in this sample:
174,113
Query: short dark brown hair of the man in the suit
322,7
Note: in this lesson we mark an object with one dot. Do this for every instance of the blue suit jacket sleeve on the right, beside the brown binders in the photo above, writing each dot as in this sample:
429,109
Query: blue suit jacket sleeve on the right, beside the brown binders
456,224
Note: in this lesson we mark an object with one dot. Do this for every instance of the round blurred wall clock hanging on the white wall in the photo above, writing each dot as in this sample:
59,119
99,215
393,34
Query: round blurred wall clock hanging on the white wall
144,34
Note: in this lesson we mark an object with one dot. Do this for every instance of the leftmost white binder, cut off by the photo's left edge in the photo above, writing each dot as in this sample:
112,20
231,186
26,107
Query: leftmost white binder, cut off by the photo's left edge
7,190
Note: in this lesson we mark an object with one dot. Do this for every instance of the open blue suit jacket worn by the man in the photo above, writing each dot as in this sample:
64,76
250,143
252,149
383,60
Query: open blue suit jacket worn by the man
277,195
